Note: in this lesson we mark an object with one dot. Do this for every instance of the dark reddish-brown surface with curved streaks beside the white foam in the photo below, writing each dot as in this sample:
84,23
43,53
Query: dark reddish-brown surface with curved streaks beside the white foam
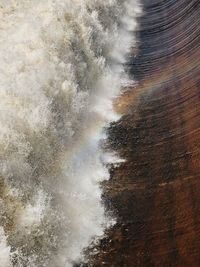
156,192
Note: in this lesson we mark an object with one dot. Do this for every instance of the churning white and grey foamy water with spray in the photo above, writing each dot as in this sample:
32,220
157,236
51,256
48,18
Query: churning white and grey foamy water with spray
61,65
